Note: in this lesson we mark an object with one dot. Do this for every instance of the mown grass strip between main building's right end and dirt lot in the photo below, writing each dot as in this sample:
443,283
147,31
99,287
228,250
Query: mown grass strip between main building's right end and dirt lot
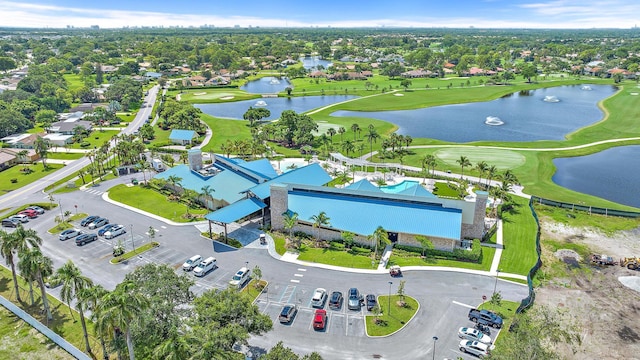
519,234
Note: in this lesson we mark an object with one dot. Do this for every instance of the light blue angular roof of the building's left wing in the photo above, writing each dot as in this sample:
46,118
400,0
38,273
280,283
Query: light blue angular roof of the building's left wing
228,185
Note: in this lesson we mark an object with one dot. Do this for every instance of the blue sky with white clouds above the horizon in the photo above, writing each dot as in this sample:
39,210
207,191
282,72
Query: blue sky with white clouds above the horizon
534,14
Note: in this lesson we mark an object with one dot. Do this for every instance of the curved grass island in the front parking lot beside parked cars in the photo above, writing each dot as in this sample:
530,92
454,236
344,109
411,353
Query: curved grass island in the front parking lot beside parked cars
394,320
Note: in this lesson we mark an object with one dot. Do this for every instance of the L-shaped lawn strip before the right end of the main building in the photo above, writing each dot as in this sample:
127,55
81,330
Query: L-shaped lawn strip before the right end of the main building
405,258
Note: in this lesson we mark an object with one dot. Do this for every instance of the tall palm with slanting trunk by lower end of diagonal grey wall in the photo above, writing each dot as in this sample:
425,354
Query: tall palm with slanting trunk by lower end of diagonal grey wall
73,282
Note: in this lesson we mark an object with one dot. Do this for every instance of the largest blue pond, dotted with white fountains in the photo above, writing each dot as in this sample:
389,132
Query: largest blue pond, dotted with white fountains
542,114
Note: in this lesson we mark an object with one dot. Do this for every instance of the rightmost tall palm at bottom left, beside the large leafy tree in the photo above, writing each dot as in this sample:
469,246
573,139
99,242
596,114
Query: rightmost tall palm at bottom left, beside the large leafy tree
120,307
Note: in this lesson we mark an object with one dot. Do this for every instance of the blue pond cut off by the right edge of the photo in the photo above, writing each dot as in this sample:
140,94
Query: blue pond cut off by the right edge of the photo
604,174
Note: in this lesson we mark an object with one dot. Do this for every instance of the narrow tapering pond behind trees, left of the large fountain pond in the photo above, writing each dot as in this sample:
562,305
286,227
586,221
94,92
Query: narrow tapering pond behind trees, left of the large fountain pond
235,110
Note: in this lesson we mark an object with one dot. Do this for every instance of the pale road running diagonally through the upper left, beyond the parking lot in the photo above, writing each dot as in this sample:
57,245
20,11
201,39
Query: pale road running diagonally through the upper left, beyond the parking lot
17,197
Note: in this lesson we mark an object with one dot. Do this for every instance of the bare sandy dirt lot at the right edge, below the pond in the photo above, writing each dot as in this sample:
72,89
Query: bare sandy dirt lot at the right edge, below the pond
606,311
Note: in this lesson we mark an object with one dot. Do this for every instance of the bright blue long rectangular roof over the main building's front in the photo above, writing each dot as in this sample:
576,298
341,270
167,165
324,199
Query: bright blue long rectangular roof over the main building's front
363,215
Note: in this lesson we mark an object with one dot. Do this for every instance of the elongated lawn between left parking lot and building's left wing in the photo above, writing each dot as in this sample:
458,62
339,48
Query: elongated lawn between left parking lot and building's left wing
153,202
